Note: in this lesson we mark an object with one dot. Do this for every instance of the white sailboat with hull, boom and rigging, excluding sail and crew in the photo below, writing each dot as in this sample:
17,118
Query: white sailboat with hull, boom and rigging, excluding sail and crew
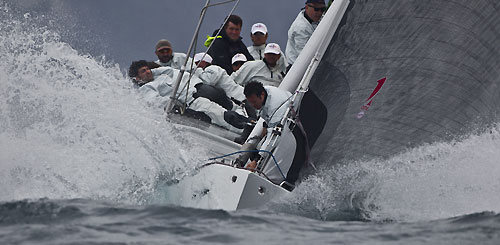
221,183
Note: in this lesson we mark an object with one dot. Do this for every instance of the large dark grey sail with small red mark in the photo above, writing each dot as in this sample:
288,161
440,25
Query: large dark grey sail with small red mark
442,63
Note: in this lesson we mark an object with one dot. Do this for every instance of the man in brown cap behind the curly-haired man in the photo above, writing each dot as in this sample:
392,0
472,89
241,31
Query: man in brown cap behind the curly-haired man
167,57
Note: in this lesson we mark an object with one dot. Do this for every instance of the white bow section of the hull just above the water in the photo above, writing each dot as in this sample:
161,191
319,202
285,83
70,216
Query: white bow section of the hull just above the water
224,187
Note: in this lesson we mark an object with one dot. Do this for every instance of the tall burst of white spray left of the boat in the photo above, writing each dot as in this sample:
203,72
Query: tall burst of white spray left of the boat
72,126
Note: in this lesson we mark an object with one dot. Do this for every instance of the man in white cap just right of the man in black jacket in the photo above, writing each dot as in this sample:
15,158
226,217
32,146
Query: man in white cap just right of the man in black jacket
259,35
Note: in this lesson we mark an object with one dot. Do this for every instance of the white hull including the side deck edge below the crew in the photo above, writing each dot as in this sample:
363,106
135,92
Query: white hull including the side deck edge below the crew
220,186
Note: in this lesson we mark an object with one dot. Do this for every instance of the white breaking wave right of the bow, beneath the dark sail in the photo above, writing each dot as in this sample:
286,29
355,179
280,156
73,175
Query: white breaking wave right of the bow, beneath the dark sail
434,181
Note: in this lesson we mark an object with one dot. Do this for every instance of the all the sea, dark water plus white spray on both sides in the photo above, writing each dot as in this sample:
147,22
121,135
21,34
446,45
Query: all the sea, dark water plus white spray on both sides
82,161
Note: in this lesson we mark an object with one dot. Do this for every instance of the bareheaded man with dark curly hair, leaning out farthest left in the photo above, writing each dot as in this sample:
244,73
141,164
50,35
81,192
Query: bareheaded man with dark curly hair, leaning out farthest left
156,87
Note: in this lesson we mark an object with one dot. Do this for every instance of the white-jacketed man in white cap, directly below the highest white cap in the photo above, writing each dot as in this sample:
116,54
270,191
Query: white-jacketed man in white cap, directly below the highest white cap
266,71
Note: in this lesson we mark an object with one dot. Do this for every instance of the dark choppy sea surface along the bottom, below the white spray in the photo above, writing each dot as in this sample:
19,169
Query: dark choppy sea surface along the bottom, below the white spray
81,221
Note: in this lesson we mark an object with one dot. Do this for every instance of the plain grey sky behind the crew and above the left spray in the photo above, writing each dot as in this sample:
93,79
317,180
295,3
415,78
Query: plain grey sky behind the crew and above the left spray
126,30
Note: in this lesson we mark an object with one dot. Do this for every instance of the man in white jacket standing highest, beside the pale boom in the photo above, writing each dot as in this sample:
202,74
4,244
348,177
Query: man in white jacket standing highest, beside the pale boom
303,27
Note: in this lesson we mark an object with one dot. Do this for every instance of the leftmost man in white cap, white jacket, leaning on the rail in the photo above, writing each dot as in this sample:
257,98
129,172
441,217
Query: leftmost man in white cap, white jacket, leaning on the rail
216,76
